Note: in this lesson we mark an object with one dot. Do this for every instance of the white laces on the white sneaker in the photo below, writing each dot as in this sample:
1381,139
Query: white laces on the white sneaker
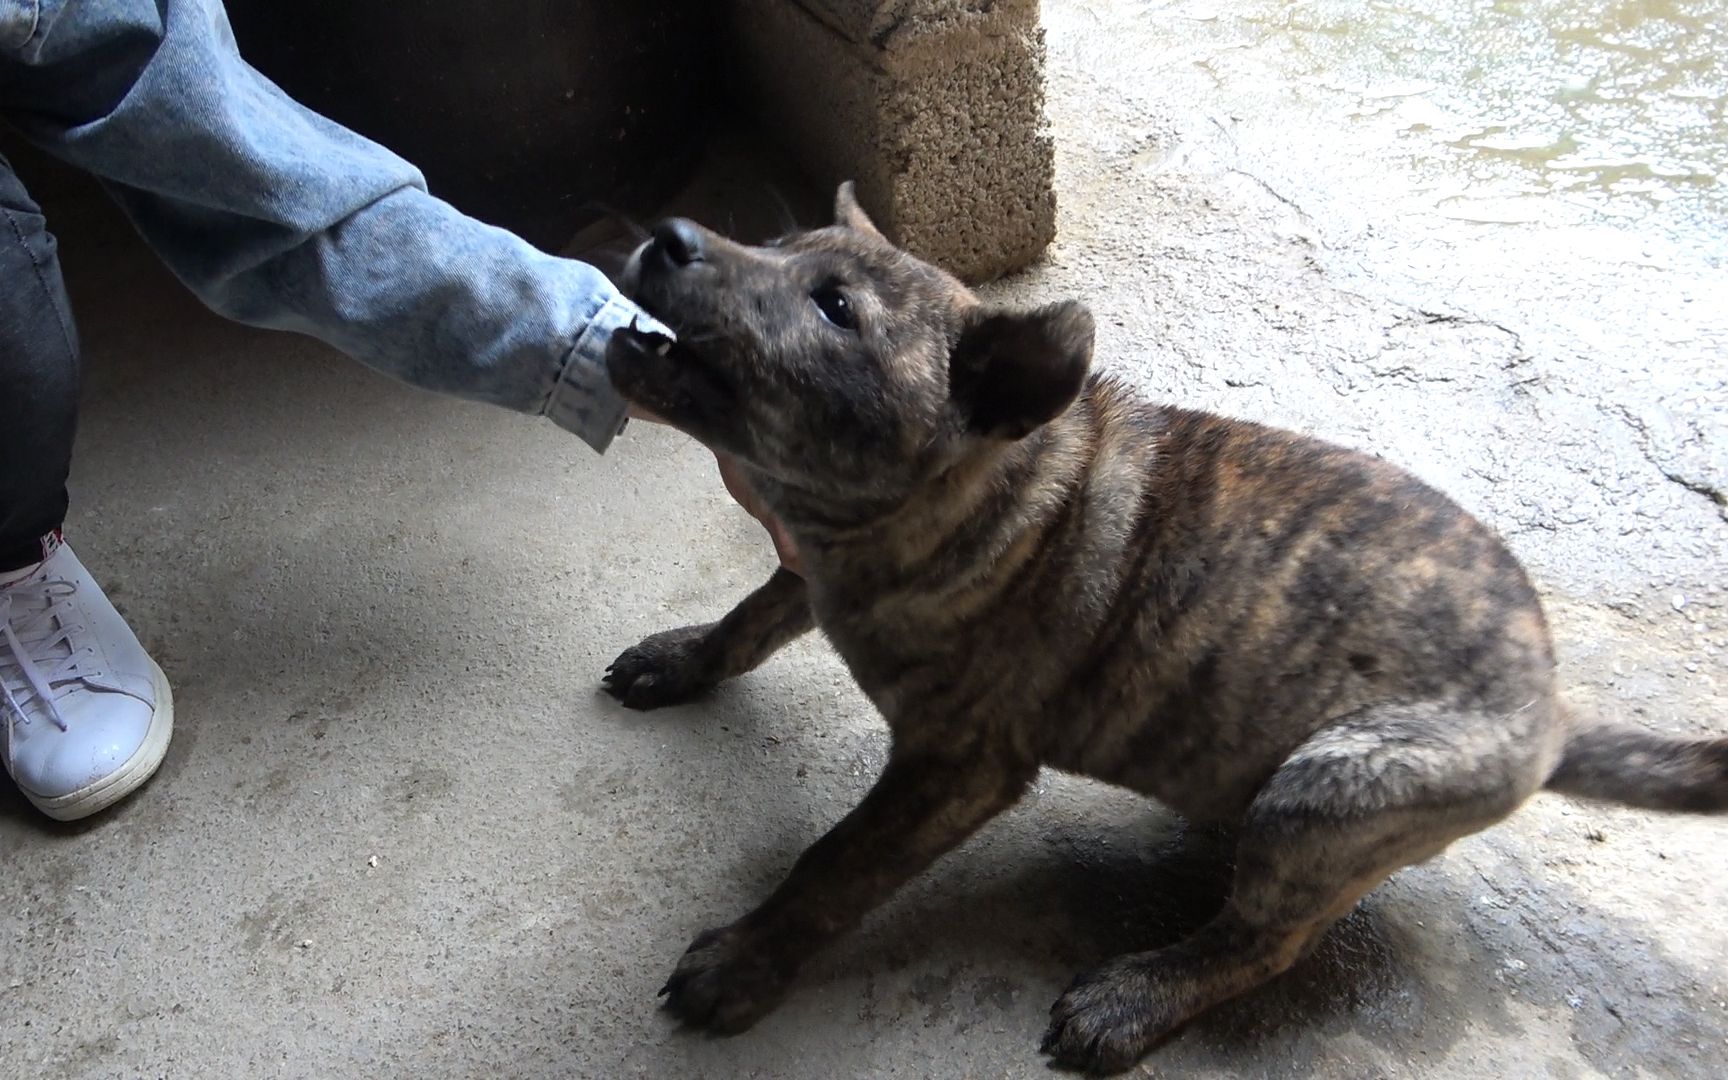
37,651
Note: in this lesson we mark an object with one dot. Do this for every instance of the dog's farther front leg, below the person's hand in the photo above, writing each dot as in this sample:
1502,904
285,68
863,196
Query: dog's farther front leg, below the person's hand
677,666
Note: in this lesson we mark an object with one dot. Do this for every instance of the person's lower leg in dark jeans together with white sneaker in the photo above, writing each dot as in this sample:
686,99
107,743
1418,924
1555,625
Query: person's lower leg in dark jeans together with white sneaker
86,715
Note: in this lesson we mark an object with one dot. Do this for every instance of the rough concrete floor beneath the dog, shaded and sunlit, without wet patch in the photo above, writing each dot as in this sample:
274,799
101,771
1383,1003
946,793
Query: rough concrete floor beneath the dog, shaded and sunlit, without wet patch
386,616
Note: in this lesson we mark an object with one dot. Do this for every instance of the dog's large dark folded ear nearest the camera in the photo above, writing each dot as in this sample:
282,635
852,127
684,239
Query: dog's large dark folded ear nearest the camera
1017,371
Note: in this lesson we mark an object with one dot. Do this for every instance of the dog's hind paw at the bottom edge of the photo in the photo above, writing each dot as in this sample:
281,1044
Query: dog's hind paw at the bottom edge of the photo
1110,1019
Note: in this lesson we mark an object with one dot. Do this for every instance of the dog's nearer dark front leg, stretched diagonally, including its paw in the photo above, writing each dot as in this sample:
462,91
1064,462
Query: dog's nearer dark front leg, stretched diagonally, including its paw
924,804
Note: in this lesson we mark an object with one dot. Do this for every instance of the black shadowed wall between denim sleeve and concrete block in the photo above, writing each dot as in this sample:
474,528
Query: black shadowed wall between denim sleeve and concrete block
524,113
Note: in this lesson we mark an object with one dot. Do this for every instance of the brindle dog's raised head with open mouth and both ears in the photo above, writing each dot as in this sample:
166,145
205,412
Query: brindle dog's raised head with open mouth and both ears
837,364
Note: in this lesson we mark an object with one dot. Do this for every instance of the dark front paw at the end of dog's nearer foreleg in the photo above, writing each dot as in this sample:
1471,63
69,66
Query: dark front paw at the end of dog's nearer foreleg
723,982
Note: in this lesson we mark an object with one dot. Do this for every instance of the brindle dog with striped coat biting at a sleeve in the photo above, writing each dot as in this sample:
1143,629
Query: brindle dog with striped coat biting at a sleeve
1029,564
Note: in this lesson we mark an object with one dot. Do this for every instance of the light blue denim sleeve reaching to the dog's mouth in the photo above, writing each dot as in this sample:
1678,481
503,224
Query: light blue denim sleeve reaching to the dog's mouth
281,219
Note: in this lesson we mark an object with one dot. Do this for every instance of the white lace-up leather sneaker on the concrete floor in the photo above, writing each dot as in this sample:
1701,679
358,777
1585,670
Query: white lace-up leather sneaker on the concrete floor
86,715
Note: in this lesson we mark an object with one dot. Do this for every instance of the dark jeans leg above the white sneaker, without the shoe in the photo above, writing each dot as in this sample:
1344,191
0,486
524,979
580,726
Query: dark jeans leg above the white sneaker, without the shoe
39,379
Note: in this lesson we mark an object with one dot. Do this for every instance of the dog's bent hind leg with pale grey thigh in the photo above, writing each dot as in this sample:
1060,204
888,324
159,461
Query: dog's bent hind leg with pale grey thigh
1369,794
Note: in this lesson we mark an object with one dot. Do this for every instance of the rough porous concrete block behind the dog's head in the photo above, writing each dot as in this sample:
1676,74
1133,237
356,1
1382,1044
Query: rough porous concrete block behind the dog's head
936,108
